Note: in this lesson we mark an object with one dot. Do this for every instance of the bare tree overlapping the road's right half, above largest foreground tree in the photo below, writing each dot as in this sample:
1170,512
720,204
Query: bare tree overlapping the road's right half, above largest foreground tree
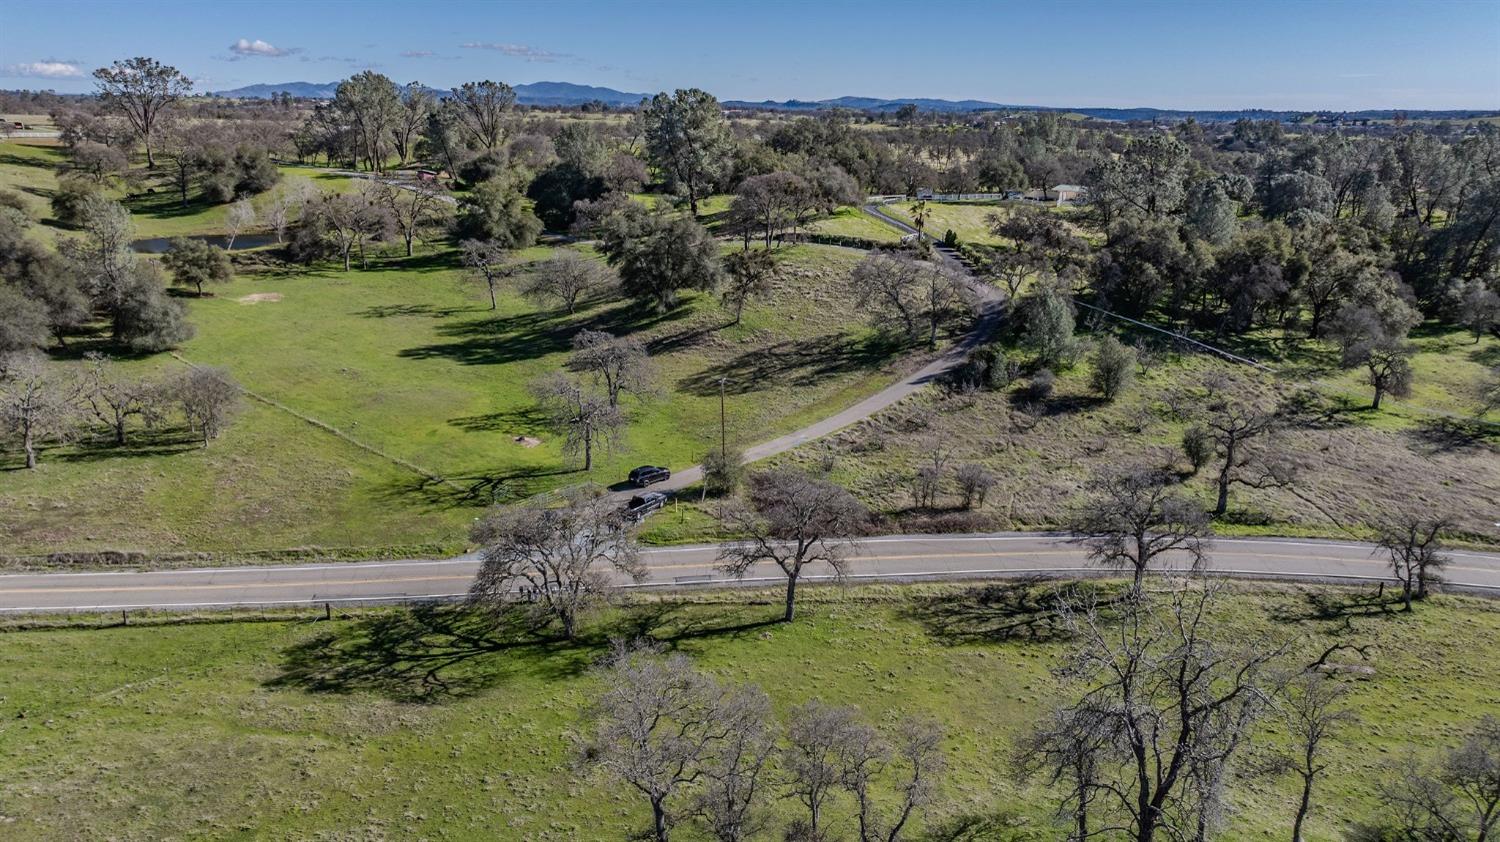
1135,517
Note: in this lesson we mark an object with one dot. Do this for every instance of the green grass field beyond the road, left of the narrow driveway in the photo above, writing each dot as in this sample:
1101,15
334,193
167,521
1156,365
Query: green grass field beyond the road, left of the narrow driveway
410,361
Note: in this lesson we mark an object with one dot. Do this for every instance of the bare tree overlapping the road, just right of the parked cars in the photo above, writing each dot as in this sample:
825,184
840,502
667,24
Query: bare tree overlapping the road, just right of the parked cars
793,522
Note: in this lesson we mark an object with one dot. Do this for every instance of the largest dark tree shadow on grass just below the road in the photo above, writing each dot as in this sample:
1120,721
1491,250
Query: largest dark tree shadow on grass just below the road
439,654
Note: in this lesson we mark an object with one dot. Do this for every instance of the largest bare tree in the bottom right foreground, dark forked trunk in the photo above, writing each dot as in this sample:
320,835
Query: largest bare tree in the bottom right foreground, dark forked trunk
1162,711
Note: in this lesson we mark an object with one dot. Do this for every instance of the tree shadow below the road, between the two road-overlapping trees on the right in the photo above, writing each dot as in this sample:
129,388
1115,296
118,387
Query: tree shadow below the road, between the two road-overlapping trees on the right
1024,610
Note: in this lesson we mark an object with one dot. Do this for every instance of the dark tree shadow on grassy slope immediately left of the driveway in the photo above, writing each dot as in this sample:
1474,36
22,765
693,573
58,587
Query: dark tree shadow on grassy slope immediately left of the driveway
794,362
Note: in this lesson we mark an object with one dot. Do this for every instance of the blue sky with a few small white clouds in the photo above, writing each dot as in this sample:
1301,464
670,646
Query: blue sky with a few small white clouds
1174,55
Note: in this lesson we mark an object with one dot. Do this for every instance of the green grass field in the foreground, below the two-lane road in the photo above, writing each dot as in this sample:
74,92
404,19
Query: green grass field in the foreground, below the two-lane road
302,729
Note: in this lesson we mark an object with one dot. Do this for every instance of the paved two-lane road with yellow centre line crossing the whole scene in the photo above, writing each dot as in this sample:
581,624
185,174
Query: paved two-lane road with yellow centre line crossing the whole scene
877,559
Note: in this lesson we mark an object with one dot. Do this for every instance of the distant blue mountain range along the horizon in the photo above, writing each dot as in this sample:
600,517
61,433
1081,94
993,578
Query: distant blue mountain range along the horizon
569,94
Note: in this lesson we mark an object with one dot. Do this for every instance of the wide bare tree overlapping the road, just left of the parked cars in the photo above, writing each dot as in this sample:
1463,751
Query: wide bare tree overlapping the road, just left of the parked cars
562,555
